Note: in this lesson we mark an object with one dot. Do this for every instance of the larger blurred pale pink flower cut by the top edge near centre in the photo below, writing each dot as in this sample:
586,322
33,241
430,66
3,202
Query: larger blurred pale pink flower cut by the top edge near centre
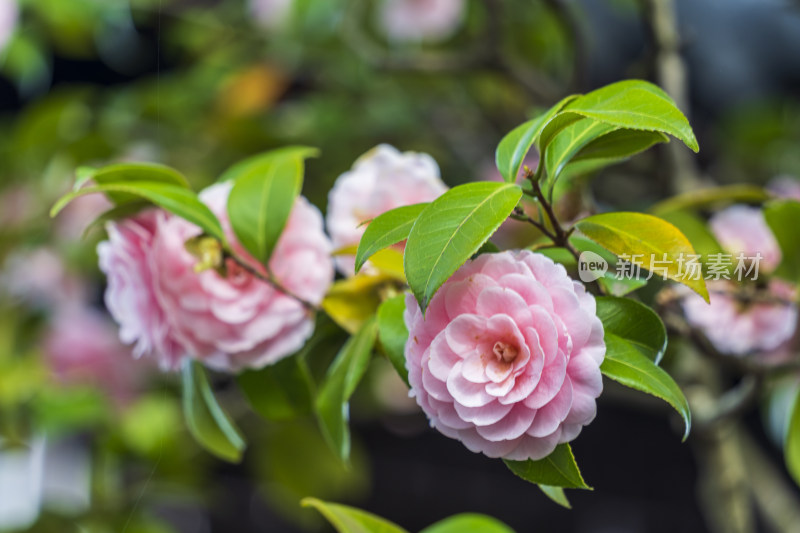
417,20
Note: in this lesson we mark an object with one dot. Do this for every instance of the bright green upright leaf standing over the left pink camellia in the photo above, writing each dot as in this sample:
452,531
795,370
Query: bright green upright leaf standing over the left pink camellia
262,197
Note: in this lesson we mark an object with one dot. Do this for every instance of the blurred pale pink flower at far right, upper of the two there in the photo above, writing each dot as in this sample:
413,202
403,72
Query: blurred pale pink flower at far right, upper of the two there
742,229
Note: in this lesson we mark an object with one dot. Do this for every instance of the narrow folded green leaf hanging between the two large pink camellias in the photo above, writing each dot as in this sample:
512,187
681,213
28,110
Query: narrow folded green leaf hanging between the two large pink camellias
332,404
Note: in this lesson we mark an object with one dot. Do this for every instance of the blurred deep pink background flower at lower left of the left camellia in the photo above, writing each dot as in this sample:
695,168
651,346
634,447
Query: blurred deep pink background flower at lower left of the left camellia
82,348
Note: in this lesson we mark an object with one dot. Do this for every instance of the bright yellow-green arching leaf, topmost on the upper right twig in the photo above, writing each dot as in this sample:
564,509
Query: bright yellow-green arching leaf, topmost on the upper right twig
635,105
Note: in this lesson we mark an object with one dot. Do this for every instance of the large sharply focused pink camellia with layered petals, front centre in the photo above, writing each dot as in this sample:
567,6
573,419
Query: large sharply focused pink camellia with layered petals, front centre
507,358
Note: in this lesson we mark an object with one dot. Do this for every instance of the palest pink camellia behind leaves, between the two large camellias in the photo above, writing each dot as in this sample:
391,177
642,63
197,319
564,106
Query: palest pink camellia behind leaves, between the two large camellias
380,180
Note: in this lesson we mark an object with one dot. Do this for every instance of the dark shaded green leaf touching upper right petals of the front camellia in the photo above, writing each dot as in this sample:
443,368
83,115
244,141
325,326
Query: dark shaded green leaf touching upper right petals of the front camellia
634,323
